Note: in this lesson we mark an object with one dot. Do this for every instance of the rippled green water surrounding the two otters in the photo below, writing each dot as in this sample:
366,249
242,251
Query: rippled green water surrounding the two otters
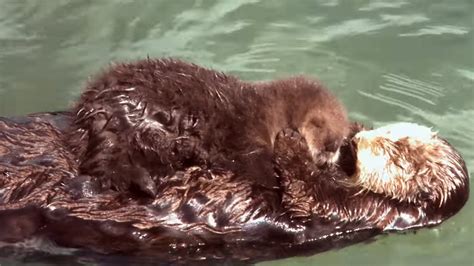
387,60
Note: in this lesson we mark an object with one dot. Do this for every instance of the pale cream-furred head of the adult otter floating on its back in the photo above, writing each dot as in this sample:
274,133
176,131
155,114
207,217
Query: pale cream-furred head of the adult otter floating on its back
408,162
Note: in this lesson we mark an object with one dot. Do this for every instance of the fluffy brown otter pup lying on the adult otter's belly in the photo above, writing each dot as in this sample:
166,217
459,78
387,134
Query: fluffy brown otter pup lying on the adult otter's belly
140,121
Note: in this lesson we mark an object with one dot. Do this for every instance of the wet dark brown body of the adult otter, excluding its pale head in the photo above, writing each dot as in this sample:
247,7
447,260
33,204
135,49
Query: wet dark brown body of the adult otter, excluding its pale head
201,215
